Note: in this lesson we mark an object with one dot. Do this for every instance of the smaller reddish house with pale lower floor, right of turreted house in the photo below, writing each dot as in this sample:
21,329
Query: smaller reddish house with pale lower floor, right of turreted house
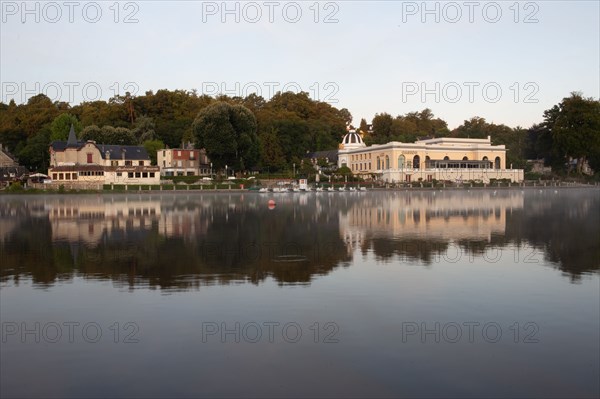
183,162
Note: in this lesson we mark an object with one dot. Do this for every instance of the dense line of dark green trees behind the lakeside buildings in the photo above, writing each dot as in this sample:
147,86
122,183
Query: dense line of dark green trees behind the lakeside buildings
251,132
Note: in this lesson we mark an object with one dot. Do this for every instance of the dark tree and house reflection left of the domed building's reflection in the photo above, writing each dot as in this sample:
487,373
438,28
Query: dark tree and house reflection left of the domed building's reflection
188,241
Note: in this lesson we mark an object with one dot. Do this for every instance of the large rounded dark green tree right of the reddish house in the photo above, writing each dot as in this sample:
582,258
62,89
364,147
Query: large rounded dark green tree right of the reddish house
228,134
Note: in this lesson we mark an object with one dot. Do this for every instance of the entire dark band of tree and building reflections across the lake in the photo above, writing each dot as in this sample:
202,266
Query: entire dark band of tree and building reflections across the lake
183,242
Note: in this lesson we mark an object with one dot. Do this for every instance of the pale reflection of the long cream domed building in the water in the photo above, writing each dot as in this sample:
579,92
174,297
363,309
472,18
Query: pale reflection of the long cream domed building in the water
433,216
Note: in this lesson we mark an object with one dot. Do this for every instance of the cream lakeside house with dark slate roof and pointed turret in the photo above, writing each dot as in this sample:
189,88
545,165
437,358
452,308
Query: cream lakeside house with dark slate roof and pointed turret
80,163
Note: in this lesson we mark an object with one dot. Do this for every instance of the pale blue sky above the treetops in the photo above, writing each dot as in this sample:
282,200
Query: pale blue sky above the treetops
368,61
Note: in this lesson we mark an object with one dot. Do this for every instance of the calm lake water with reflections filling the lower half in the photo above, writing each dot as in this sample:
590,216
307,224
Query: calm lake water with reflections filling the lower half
477,293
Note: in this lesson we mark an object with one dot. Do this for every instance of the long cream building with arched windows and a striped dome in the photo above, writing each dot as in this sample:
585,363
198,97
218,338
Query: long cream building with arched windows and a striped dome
447,159
